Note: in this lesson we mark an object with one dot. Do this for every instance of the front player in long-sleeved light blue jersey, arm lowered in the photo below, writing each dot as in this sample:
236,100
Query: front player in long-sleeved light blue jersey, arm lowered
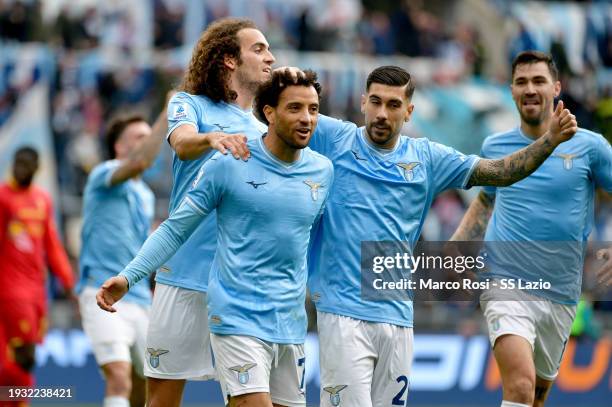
265,207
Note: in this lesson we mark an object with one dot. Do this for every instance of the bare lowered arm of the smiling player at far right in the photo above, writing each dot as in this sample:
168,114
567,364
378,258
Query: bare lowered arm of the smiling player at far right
474,222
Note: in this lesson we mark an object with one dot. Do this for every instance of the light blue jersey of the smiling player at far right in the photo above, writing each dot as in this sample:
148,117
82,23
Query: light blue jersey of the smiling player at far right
552,209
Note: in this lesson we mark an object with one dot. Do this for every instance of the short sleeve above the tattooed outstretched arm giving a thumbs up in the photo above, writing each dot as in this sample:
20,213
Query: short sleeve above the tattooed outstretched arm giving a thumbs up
450,168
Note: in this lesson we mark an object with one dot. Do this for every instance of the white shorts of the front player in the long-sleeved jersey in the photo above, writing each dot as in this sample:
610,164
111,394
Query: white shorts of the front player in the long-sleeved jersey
249,365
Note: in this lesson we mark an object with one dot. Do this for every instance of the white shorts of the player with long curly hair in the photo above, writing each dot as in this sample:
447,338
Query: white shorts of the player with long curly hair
178,340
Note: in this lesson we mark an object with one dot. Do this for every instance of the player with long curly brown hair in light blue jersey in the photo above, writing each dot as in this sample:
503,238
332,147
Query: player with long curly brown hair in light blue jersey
213,111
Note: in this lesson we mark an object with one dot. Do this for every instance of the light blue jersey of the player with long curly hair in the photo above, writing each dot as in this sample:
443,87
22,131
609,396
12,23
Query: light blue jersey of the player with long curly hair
190,266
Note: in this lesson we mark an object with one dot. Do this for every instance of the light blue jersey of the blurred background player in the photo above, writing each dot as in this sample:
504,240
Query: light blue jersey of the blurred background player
116,222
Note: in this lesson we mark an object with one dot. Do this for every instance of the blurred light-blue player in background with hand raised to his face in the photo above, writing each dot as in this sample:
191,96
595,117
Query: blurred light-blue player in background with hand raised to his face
118,209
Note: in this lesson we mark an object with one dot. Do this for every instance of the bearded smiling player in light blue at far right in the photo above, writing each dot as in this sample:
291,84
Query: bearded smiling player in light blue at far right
528,331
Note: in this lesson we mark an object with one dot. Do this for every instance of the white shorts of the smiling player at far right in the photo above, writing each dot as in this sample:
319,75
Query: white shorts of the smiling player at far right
546,325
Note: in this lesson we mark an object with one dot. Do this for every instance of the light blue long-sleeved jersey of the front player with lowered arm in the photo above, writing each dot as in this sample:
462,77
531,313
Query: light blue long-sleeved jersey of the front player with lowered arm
265,212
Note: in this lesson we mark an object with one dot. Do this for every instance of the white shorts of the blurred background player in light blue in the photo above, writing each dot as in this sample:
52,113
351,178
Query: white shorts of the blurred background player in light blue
115,337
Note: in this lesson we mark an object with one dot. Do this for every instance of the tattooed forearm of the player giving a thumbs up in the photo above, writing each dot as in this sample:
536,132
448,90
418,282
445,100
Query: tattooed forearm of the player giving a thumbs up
510,169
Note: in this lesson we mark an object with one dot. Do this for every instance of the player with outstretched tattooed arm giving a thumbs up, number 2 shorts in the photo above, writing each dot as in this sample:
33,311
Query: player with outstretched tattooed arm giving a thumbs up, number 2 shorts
384,186
